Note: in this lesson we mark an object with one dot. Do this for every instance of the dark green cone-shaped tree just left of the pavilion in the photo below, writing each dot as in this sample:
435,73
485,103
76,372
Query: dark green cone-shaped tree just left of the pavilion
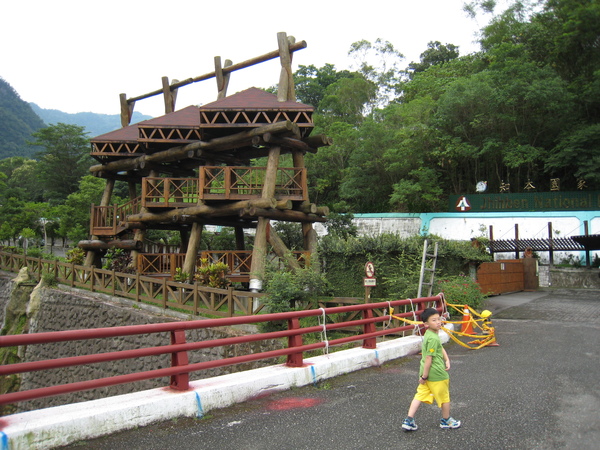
64,160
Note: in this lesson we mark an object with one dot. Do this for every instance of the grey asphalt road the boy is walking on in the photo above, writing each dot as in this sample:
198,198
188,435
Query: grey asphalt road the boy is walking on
538,390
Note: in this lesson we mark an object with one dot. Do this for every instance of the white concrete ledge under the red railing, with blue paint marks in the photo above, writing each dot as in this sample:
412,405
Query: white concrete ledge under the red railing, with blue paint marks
62,425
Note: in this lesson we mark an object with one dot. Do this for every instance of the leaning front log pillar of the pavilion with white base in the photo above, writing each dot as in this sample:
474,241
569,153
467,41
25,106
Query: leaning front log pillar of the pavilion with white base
259,253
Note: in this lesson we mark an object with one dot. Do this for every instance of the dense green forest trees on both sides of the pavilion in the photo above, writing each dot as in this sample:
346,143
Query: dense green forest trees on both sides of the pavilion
521,112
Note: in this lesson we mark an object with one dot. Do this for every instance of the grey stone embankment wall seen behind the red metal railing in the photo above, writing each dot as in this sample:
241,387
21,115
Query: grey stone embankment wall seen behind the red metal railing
65,308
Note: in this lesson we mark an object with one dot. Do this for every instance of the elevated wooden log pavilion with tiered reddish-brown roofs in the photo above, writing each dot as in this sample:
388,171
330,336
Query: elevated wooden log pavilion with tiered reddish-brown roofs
192,167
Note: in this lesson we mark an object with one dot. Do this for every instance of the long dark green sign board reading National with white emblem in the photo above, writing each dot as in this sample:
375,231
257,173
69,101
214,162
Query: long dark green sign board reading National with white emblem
534,201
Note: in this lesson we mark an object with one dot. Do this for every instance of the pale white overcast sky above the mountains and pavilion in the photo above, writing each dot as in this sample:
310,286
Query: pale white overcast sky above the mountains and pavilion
79,55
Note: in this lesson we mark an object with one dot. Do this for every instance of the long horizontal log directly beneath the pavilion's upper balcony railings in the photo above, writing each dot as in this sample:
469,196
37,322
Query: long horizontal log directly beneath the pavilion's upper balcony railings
176,215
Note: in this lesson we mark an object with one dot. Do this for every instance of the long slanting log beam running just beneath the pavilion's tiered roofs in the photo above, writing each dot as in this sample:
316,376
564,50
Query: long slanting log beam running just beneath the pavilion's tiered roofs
183,152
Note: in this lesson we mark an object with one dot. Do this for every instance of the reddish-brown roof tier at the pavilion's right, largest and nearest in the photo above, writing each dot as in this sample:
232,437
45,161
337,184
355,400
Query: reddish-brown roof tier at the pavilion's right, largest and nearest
254,99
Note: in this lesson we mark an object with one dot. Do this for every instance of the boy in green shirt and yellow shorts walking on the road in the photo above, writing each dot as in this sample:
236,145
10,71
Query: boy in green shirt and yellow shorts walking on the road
434,381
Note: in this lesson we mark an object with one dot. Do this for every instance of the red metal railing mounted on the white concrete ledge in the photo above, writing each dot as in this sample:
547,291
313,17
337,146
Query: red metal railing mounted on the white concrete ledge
180,368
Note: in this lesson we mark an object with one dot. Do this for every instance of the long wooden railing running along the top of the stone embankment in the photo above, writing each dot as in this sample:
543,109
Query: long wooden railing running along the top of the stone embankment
159,291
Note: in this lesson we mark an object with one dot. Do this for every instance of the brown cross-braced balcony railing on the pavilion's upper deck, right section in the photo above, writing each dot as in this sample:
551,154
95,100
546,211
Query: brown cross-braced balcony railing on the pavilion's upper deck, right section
241,183
